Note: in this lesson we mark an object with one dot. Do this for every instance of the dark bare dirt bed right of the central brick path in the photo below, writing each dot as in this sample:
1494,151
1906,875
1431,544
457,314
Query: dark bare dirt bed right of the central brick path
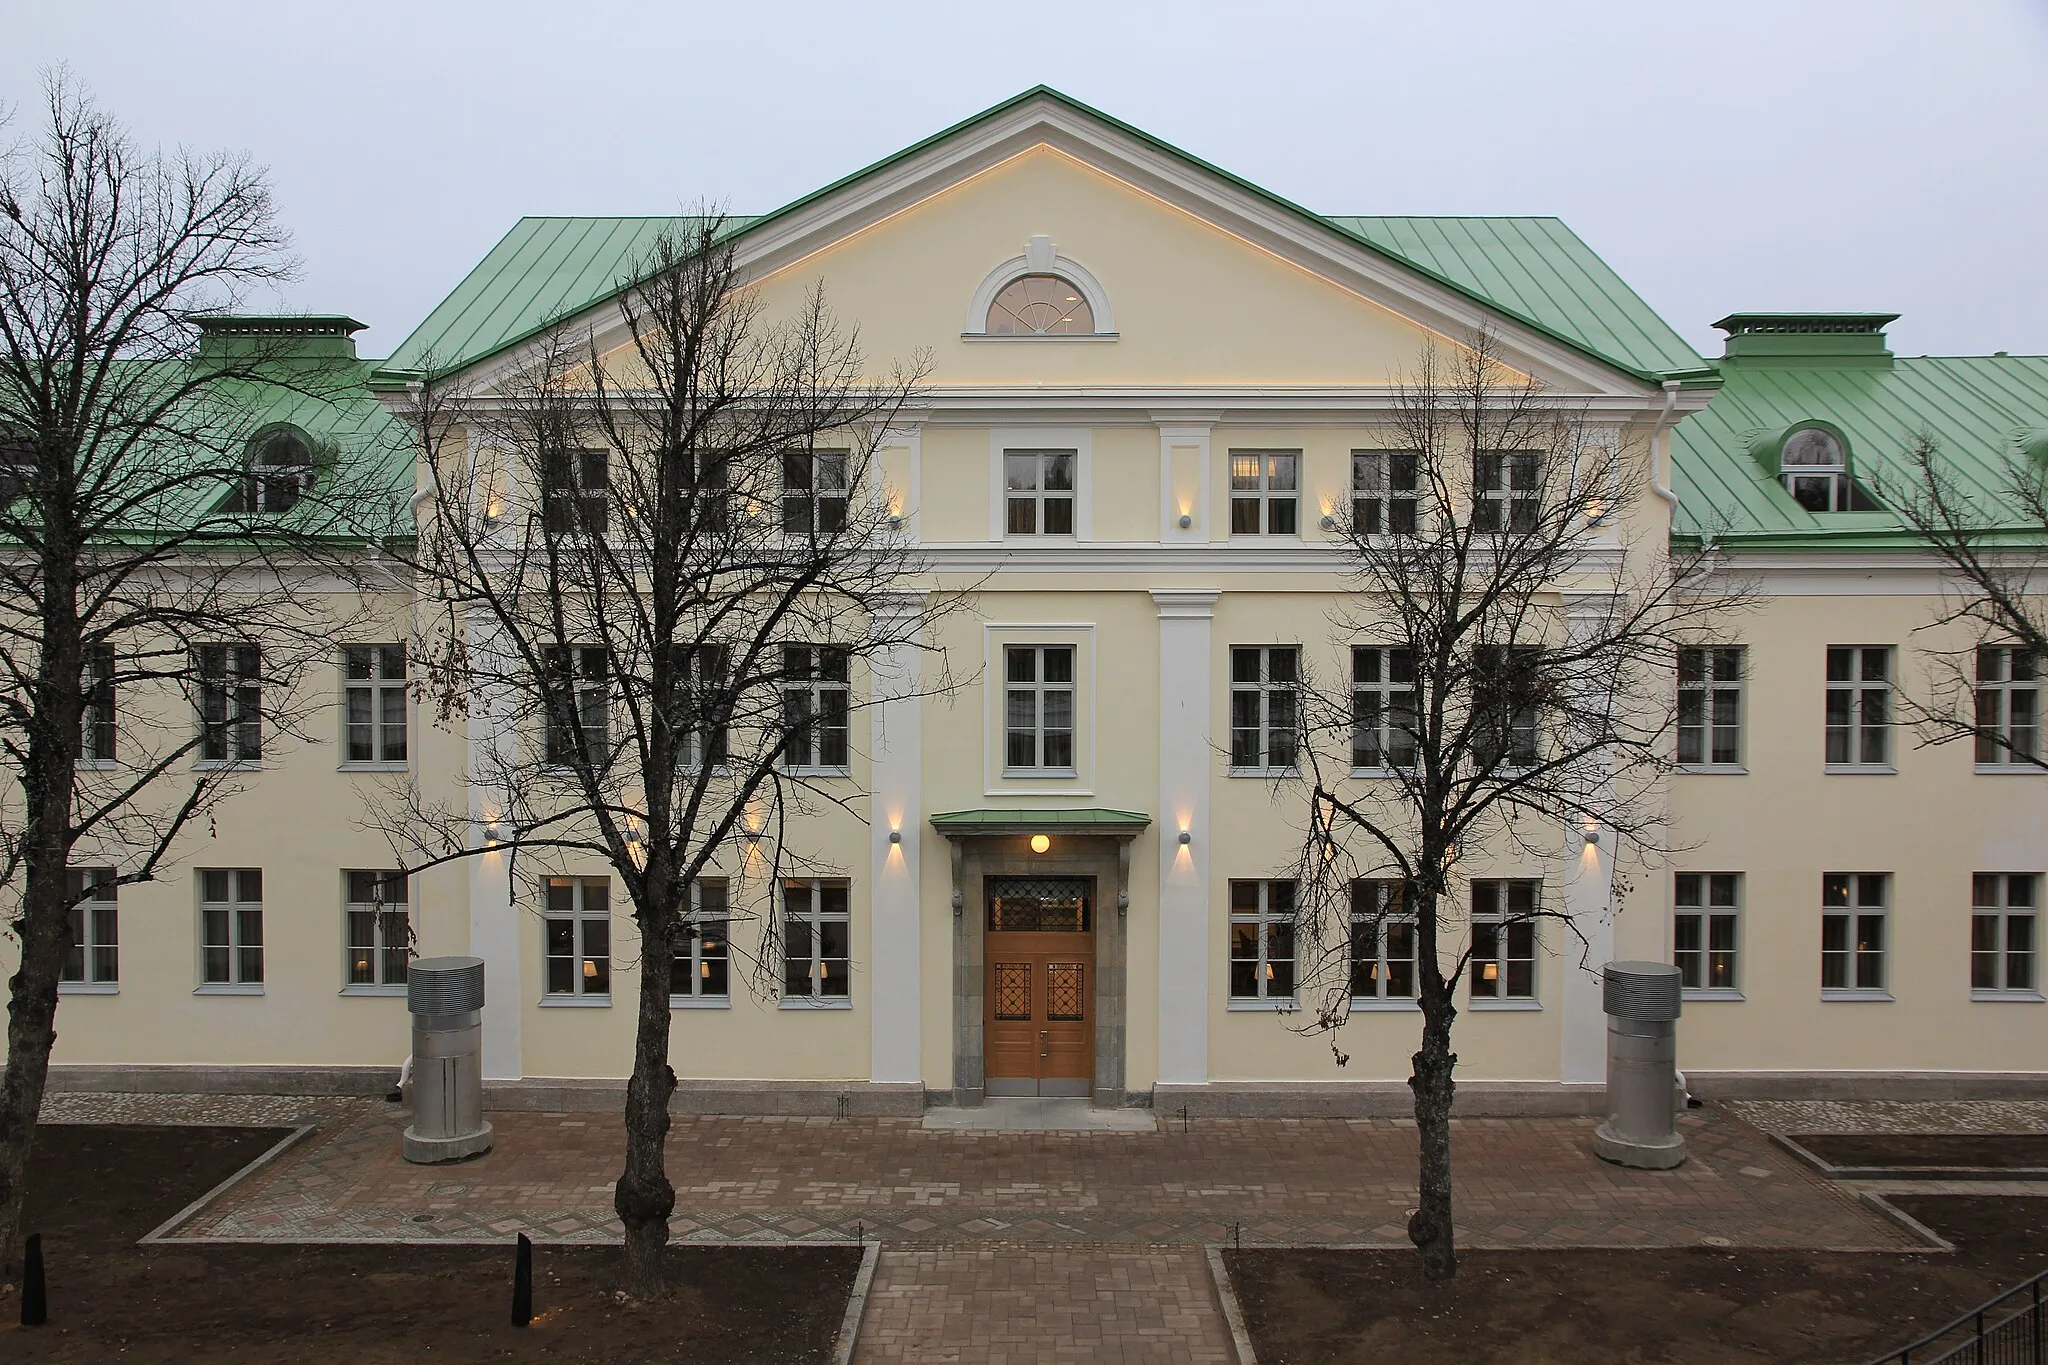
1674,1307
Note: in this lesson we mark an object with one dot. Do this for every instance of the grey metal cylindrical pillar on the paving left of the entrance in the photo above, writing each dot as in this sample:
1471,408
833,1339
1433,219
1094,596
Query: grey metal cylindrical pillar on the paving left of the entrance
445,998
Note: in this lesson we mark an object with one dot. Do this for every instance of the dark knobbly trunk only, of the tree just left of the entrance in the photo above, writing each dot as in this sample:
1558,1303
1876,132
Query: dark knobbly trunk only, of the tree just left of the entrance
644,1196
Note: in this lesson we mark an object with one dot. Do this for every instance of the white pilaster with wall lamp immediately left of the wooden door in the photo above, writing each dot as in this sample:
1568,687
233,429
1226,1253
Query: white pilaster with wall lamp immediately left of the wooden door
896,807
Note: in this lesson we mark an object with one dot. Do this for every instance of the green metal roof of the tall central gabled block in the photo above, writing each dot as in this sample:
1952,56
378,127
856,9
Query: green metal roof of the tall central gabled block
1533,271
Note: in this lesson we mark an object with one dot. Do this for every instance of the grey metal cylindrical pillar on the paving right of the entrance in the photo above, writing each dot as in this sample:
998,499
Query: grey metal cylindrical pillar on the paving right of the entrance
1644,1004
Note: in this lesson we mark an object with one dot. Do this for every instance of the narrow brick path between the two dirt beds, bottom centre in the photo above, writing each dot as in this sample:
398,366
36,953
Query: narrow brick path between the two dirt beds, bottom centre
1078,1305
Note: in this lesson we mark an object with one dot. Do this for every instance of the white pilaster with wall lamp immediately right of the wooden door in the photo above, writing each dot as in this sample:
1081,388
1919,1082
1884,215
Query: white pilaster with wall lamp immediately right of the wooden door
1185,764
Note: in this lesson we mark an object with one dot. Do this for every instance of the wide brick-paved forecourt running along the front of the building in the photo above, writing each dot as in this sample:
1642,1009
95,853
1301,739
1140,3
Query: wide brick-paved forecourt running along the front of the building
779,1180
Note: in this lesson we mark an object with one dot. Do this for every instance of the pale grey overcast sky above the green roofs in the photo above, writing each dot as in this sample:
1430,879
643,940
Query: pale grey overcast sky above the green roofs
1721,157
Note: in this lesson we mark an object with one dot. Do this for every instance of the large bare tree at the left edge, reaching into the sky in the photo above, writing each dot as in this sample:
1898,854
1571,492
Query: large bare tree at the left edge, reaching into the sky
138,547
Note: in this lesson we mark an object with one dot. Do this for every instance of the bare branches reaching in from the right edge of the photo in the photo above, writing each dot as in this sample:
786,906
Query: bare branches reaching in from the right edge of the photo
1994,599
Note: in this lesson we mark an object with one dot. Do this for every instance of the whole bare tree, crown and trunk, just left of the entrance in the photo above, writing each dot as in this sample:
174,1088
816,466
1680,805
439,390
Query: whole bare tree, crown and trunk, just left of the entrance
667,578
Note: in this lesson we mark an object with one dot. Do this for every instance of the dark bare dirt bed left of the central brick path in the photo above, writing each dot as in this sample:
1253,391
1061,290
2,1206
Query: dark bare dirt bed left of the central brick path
99,1188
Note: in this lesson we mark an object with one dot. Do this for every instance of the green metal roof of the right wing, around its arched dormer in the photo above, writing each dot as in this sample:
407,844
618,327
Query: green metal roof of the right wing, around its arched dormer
1983,410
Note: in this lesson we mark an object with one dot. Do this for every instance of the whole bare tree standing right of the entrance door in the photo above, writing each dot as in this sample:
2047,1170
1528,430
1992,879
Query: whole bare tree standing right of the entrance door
1514,633
